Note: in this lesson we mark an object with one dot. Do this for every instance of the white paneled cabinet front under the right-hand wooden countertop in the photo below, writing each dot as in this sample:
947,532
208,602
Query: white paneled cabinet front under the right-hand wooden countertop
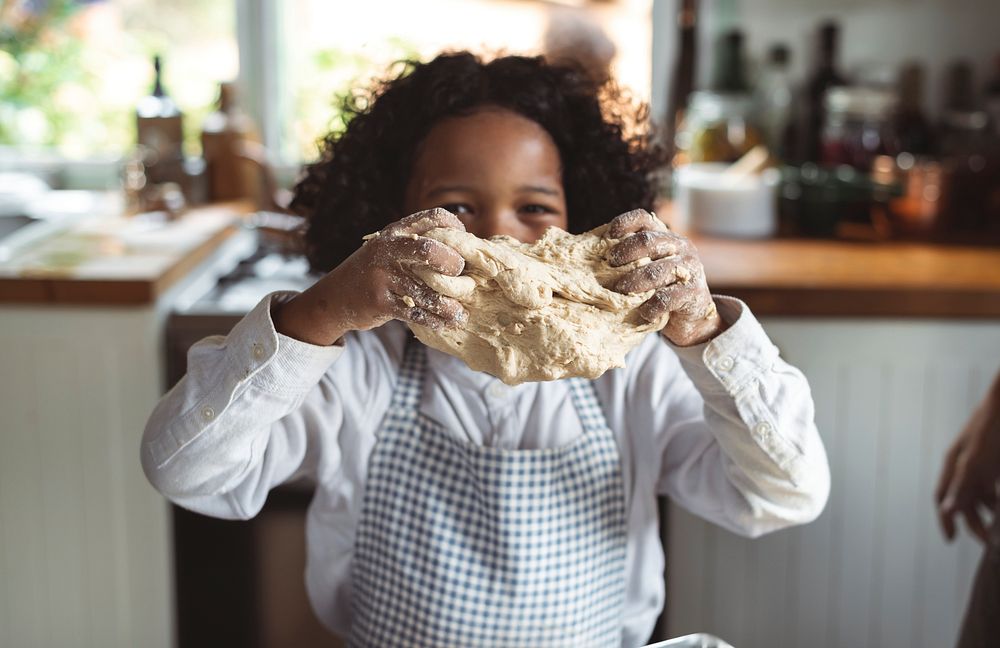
873,570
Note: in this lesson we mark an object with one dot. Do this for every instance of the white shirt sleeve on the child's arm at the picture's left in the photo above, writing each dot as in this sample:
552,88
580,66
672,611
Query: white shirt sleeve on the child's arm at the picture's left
255,408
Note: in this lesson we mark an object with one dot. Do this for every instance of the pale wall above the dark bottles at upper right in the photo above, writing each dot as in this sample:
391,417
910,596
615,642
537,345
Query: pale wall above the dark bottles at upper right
933,32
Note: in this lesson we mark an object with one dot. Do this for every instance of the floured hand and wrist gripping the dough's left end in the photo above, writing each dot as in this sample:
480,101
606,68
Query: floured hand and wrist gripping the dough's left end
375,285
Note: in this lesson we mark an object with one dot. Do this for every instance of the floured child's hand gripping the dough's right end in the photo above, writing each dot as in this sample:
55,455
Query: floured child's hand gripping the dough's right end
674,271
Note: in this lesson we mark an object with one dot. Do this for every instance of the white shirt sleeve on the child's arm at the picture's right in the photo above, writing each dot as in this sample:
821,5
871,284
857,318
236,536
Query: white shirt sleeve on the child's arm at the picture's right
734,430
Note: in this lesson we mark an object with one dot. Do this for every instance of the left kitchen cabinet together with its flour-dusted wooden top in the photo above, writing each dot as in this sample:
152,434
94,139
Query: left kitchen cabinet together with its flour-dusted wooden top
85,553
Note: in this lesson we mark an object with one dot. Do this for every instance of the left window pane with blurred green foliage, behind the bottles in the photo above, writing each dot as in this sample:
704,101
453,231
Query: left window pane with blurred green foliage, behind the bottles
72,71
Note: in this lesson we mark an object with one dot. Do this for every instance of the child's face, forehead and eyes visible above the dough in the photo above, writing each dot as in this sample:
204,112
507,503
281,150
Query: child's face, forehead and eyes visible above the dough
499,172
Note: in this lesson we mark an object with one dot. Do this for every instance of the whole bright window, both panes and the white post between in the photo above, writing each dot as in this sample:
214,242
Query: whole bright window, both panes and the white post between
72,71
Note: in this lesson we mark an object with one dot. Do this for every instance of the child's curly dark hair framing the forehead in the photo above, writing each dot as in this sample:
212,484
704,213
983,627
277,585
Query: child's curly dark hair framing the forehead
357,186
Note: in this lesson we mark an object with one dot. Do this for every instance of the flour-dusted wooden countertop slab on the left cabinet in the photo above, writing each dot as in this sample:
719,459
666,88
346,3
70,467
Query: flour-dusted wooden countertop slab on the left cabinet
116,260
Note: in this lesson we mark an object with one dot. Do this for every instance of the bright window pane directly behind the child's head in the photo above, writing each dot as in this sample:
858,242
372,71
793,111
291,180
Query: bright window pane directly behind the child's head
328,47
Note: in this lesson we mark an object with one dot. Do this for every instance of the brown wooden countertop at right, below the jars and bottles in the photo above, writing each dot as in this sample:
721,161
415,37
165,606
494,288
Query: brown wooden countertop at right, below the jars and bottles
804,277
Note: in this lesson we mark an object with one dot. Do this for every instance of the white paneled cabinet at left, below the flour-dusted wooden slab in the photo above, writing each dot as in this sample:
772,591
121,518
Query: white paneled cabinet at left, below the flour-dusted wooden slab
85,549
